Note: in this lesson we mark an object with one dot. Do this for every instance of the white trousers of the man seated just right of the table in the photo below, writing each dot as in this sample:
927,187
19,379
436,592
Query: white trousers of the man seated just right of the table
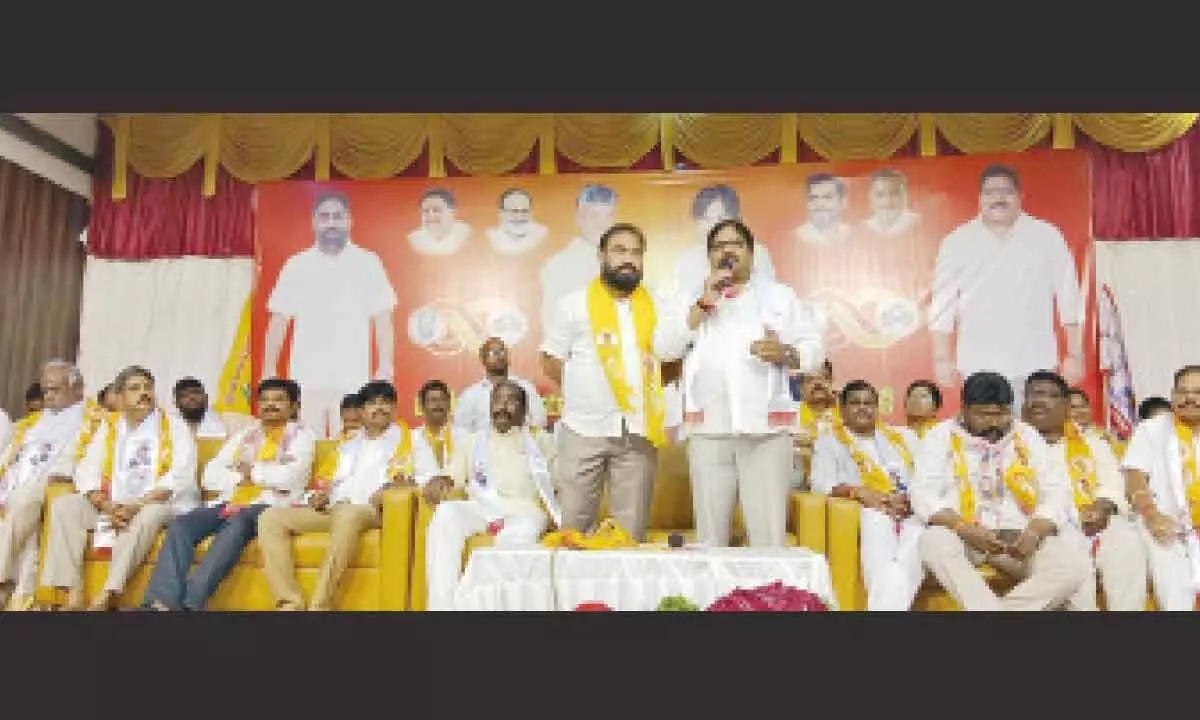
892,568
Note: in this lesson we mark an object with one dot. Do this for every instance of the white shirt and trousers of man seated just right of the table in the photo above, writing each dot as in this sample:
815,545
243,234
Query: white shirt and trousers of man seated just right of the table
891,557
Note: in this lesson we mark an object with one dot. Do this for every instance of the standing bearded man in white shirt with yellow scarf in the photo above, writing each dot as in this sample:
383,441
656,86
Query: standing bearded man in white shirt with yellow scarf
604,349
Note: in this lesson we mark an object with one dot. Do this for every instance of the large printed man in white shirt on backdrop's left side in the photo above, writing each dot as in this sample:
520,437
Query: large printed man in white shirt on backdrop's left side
337,292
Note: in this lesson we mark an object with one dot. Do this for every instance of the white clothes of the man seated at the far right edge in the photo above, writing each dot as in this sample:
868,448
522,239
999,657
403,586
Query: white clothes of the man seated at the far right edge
1175,567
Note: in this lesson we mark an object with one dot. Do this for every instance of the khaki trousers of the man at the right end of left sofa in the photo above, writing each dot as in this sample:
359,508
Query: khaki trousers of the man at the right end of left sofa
344,523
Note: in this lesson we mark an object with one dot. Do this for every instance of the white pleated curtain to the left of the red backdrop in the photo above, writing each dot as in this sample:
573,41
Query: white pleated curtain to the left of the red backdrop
176,317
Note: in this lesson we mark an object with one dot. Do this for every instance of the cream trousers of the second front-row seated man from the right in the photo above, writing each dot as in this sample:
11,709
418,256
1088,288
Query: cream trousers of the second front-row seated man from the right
1121,563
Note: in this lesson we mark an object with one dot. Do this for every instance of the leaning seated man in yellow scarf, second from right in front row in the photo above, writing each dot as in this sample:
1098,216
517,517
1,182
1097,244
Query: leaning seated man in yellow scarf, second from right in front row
1099,512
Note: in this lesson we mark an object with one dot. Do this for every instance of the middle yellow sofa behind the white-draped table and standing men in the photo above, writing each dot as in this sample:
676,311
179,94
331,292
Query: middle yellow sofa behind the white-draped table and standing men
671,512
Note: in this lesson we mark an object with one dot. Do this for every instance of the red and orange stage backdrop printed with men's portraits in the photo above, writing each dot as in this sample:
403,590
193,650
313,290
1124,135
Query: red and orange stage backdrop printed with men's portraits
469,262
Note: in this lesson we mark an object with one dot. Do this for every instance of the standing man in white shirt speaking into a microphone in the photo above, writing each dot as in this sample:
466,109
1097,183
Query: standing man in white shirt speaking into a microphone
739,410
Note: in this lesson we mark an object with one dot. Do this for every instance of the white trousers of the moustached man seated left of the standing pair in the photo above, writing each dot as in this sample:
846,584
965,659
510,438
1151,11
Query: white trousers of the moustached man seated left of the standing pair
453,524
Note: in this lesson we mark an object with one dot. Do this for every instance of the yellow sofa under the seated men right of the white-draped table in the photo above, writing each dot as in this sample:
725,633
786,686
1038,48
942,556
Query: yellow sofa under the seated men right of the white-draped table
845,566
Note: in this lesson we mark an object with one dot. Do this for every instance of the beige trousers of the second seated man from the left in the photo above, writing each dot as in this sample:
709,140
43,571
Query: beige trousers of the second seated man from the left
71,518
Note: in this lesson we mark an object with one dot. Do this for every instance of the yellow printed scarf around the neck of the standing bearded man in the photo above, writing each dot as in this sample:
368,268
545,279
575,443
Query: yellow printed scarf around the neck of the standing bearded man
607,334
